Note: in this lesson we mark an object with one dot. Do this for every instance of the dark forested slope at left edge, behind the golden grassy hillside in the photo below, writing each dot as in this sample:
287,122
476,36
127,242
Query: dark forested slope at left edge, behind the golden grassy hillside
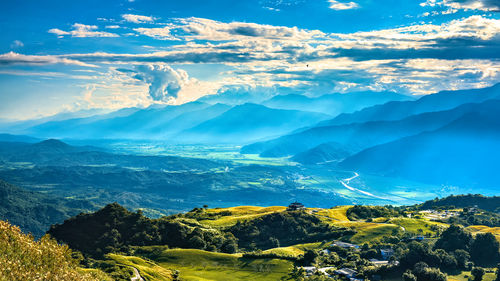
34,212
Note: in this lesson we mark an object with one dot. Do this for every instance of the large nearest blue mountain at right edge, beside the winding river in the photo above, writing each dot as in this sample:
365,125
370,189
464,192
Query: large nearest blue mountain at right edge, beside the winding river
466,153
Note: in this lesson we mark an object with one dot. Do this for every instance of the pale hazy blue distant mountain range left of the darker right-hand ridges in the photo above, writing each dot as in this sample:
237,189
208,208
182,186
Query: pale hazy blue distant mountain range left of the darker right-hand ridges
210,119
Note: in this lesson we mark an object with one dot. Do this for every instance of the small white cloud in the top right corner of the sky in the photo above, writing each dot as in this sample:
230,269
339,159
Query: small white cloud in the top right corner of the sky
481,5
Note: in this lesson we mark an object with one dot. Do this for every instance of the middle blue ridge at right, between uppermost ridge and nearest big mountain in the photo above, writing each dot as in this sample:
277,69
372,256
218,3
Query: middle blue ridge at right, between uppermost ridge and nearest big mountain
356,136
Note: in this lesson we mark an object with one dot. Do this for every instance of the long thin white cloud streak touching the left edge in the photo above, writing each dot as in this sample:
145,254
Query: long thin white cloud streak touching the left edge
12,58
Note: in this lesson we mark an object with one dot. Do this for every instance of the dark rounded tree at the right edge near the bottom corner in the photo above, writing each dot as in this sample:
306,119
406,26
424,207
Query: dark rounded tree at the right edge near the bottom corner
485,249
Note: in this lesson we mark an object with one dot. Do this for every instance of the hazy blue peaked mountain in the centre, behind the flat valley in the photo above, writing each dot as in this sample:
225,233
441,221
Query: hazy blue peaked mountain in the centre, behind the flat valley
249,122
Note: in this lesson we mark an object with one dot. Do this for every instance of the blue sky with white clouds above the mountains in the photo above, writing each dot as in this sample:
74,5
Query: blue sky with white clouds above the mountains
92,56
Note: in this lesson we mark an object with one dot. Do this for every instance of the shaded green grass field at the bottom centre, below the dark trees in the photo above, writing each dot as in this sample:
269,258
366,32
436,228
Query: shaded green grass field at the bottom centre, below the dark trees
202,265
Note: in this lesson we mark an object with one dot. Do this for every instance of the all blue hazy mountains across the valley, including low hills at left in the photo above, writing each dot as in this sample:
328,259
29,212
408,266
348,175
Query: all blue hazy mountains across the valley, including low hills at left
372,132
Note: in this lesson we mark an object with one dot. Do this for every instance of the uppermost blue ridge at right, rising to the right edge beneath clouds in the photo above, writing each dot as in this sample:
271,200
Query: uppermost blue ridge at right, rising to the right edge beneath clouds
396,110
